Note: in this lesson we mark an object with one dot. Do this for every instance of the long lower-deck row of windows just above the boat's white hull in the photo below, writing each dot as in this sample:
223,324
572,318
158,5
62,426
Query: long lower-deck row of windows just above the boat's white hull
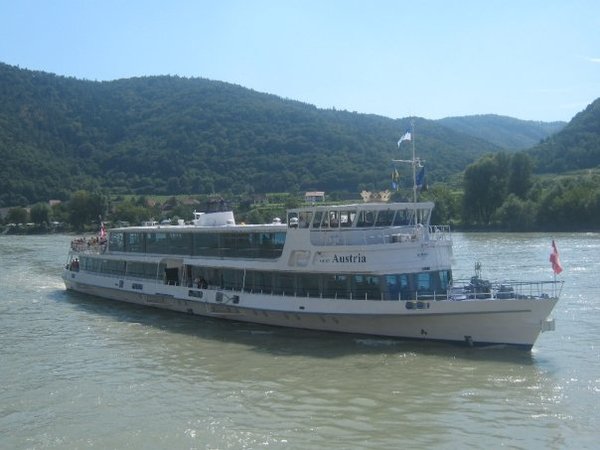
355,286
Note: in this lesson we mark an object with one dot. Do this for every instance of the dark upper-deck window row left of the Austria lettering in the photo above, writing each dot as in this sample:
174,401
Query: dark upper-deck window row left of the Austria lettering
234,245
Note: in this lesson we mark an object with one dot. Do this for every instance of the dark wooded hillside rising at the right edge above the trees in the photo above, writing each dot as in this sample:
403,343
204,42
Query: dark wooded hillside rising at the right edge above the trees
575,147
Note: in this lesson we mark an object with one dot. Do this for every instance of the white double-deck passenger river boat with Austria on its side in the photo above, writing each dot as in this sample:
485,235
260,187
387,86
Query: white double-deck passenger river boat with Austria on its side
366,268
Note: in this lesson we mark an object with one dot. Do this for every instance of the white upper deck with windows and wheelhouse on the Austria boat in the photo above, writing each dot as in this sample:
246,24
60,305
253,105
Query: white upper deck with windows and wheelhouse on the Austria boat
367,227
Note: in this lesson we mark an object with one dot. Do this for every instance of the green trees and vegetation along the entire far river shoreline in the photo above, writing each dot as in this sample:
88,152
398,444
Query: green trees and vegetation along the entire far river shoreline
487,203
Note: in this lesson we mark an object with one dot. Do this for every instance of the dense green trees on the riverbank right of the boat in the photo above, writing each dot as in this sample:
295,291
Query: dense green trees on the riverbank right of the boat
501,192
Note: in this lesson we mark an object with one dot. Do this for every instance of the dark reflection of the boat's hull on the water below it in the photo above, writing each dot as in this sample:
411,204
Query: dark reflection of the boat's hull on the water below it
282,341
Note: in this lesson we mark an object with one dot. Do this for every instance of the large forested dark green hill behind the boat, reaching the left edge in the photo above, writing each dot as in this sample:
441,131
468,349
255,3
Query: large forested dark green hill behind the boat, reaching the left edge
171,135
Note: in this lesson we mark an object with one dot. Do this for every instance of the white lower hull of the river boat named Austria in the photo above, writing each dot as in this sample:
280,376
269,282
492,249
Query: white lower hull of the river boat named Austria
514,322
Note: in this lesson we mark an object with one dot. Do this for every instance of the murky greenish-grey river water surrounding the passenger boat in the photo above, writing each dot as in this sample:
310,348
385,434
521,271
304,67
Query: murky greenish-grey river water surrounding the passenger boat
81,372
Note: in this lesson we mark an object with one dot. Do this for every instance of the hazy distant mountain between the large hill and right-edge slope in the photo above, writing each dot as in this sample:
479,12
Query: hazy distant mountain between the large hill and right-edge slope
505,132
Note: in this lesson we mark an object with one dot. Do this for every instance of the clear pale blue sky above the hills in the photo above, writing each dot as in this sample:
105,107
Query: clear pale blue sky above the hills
529,59
